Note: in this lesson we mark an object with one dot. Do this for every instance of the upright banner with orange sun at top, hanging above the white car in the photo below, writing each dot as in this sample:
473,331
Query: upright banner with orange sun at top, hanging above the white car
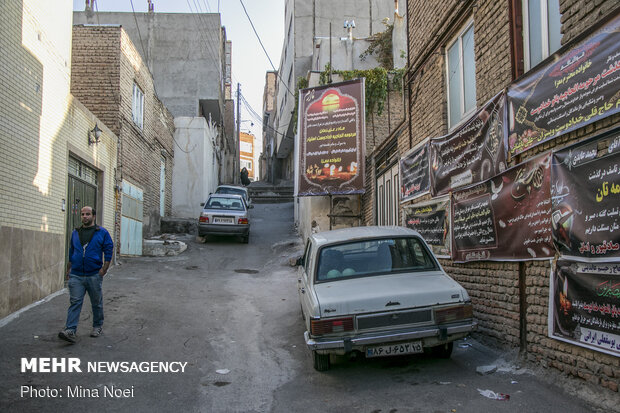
332,139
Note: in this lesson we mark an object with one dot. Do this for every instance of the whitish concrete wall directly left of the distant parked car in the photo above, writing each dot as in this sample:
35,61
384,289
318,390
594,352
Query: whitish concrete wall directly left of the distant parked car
195,171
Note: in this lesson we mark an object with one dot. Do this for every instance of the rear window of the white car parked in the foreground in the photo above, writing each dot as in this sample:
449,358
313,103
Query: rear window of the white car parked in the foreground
374,257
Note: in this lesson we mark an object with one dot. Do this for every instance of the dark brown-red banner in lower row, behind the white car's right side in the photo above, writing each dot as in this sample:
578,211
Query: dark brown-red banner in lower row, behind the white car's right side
507,217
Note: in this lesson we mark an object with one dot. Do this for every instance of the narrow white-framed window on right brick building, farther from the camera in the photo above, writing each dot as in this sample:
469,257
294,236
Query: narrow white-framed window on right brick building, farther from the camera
461,74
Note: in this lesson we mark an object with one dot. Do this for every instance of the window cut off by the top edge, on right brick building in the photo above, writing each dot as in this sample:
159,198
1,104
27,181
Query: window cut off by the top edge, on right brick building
541,30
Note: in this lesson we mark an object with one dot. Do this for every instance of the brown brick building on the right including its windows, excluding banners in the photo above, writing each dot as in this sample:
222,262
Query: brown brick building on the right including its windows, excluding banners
461,55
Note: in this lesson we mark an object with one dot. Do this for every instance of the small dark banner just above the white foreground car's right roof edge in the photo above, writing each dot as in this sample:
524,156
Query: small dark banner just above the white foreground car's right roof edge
430,219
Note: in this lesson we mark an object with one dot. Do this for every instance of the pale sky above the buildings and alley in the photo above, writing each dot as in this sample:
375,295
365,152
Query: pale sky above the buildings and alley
249,62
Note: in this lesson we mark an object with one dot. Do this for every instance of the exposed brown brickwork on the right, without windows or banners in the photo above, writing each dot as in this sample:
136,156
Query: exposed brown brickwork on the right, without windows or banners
510,299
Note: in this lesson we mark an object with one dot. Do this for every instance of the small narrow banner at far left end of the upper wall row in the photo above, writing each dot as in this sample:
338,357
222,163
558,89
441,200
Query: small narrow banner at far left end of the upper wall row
414,173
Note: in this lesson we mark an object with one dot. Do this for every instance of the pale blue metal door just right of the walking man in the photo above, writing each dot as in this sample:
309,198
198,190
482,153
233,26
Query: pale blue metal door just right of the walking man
131,219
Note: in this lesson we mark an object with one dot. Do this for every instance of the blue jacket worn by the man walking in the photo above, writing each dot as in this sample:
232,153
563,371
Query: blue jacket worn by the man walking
88,261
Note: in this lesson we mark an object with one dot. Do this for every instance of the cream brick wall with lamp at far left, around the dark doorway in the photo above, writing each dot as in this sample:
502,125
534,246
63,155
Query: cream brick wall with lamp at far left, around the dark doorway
42,124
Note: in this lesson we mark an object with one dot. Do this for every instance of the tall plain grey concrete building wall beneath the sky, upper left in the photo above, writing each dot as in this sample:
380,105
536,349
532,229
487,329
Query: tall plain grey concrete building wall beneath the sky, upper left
183,51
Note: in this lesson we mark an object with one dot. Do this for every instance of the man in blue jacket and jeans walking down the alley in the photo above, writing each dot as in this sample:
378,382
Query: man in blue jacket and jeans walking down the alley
85,272
